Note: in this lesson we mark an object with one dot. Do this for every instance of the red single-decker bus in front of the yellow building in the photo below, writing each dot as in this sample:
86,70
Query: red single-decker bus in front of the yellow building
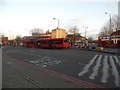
54,43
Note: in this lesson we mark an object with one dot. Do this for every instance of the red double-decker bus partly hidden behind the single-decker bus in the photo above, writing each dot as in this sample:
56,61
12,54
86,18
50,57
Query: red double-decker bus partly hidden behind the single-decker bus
31,41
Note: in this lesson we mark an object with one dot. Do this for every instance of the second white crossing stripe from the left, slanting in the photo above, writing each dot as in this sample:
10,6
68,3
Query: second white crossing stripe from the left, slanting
96,68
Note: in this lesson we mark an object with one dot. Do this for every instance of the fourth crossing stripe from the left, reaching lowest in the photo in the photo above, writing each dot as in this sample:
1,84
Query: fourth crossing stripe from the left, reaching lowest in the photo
115,72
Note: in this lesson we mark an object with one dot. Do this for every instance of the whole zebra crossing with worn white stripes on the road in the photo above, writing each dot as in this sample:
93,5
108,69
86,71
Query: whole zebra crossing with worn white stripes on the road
106,62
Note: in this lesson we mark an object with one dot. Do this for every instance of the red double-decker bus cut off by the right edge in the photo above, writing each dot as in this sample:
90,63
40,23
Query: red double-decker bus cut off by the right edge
109,40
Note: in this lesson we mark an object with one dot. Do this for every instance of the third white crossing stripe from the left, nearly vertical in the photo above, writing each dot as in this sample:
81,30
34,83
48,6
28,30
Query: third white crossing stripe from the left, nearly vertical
105,70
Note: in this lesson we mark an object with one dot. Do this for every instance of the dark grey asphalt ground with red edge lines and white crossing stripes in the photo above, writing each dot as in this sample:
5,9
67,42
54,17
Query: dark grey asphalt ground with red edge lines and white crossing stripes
59,68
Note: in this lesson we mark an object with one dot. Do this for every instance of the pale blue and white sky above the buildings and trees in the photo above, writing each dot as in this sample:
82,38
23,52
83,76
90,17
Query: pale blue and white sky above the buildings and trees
17,17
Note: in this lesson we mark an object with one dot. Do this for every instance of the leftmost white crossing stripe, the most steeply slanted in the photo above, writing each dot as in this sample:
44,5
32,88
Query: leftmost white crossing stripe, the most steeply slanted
86,68
